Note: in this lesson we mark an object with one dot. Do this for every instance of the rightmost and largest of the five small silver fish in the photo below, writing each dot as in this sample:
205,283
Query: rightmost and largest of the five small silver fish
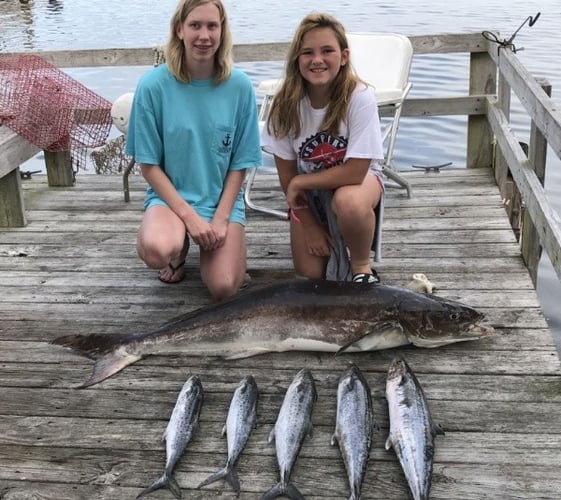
412,430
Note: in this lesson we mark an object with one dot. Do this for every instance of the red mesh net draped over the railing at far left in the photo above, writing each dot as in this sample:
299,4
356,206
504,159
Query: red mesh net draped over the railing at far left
50,109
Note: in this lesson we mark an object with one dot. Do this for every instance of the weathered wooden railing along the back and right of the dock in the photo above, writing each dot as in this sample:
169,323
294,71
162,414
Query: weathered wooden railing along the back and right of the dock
490,143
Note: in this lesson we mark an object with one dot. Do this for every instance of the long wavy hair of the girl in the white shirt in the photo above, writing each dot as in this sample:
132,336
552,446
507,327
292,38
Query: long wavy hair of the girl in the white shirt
284,118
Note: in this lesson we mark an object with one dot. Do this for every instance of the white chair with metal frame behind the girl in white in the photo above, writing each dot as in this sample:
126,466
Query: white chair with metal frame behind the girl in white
383,60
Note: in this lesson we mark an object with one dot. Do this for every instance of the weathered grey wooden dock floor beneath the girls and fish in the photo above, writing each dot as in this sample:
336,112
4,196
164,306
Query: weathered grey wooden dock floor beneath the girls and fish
73,269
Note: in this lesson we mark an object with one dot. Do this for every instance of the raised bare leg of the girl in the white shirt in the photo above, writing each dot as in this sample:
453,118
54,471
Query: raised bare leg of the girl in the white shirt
354,208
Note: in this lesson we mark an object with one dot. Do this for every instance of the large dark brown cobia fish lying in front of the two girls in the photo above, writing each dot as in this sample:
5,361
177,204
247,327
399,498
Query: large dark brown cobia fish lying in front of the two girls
294,315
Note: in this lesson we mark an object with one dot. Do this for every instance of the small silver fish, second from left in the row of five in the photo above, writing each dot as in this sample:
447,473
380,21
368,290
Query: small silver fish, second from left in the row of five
241,420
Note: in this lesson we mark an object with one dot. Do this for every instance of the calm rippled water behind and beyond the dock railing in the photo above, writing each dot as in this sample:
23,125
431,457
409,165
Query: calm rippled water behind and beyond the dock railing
87,24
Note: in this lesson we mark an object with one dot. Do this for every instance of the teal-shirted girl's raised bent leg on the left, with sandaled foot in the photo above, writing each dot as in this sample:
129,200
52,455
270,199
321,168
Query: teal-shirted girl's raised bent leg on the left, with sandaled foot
162,242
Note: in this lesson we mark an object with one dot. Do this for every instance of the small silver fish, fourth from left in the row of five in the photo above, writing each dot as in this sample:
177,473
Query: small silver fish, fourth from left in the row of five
354,426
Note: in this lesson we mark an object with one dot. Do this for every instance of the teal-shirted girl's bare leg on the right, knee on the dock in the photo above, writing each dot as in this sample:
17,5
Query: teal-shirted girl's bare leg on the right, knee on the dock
223,269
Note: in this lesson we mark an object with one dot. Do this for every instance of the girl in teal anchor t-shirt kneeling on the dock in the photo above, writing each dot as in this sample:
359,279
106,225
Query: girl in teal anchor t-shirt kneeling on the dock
194,130
